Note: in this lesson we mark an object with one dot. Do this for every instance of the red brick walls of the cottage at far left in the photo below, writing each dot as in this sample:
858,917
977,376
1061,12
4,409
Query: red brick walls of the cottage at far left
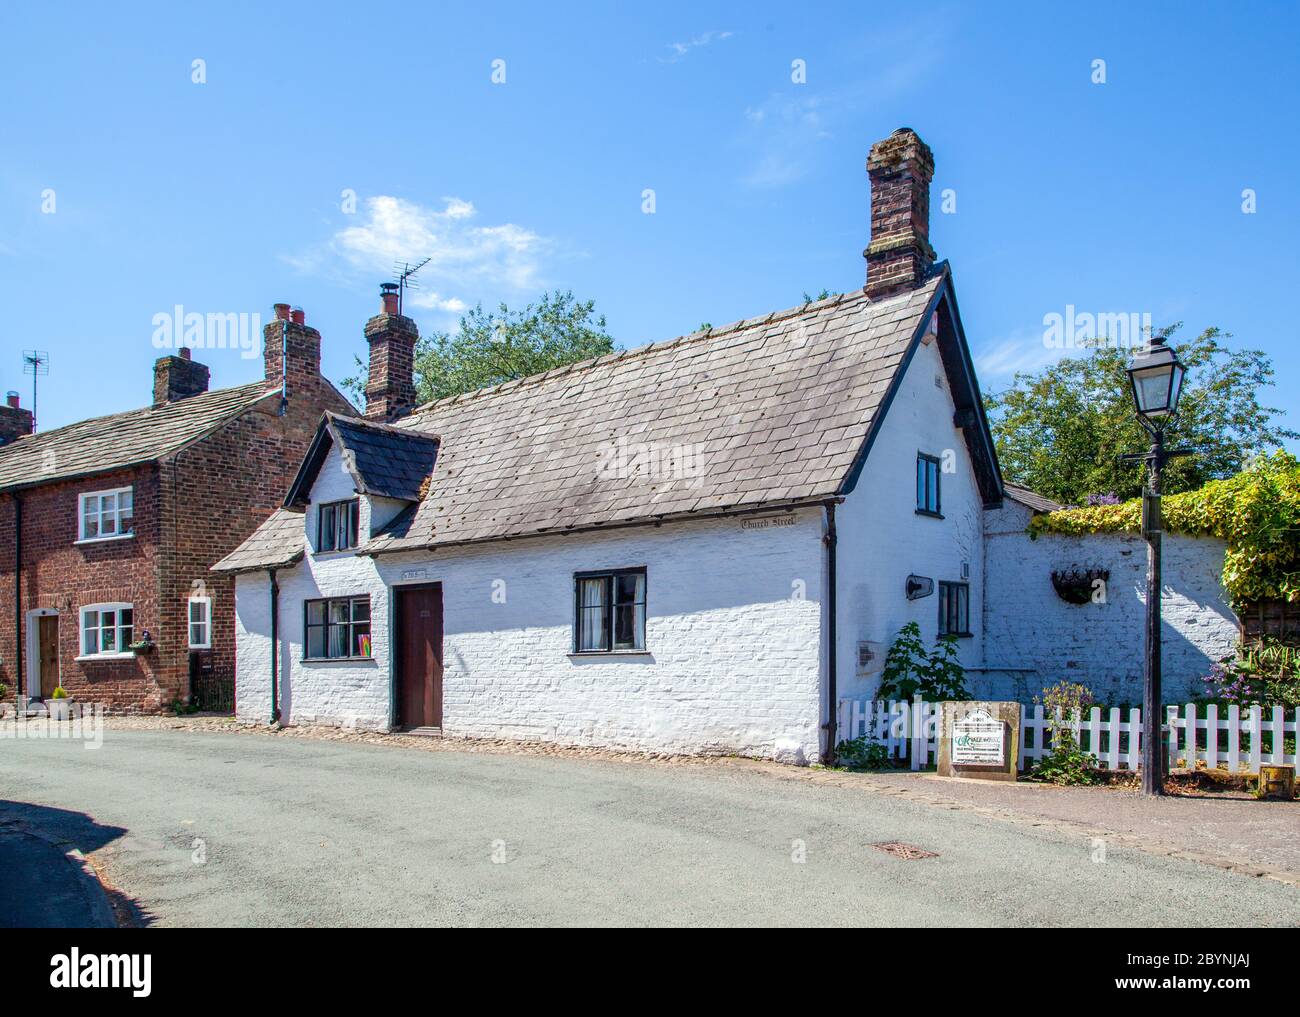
190,510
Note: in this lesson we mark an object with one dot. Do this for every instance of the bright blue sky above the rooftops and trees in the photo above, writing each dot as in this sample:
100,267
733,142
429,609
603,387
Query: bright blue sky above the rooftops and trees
1124,197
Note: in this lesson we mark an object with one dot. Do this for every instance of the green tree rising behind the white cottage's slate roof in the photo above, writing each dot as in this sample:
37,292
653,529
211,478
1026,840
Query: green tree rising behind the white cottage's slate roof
489,349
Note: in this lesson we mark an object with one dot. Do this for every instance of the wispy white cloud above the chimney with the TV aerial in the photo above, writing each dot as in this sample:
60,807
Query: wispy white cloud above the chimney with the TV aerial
467,262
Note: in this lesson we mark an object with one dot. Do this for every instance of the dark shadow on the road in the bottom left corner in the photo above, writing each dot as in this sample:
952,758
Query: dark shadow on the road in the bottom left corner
62,829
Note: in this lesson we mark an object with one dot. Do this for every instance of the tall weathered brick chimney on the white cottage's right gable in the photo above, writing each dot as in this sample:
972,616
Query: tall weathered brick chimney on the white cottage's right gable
900,256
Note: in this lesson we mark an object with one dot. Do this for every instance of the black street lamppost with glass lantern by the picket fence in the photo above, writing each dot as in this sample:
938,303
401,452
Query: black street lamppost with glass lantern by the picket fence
1156,376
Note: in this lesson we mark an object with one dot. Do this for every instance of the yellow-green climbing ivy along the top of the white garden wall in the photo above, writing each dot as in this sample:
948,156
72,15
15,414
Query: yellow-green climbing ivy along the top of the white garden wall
1256,513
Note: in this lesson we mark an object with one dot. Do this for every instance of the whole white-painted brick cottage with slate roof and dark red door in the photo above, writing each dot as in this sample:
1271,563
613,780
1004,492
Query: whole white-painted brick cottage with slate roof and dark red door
694,547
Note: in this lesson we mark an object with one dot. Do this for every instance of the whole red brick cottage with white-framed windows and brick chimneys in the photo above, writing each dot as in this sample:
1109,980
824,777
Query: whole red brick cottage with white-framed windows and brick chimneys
109,527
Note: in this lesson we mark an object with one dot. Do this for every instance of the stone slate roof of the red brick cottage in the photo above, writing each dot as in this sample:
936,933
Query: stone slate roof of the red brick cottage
122,440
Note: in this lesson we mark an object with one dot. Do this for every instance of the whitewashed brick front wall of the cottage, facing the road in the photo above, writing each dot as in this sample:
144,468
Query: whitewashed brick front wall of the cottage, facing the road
734,637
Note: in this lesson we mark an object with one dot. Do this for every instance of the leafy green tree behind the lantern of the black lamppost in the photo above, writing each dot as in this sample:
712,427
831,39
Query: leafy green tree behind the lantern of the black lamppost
1061,432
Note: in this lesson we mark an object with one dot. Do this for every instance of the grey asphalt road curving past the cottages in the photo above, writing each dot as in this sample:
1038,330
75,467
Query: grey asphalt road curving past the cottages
248,830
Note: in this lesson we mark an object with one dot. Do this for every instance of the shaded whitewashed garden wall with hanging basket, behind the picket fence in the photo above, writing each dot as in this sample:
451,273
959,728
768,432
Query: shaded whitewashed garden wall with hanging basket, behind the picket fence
1041,639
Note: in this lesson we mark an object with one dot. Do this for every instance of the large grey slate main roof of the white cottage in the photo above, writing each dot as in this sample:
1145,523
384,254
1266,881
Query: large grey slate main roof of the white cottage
768,413
